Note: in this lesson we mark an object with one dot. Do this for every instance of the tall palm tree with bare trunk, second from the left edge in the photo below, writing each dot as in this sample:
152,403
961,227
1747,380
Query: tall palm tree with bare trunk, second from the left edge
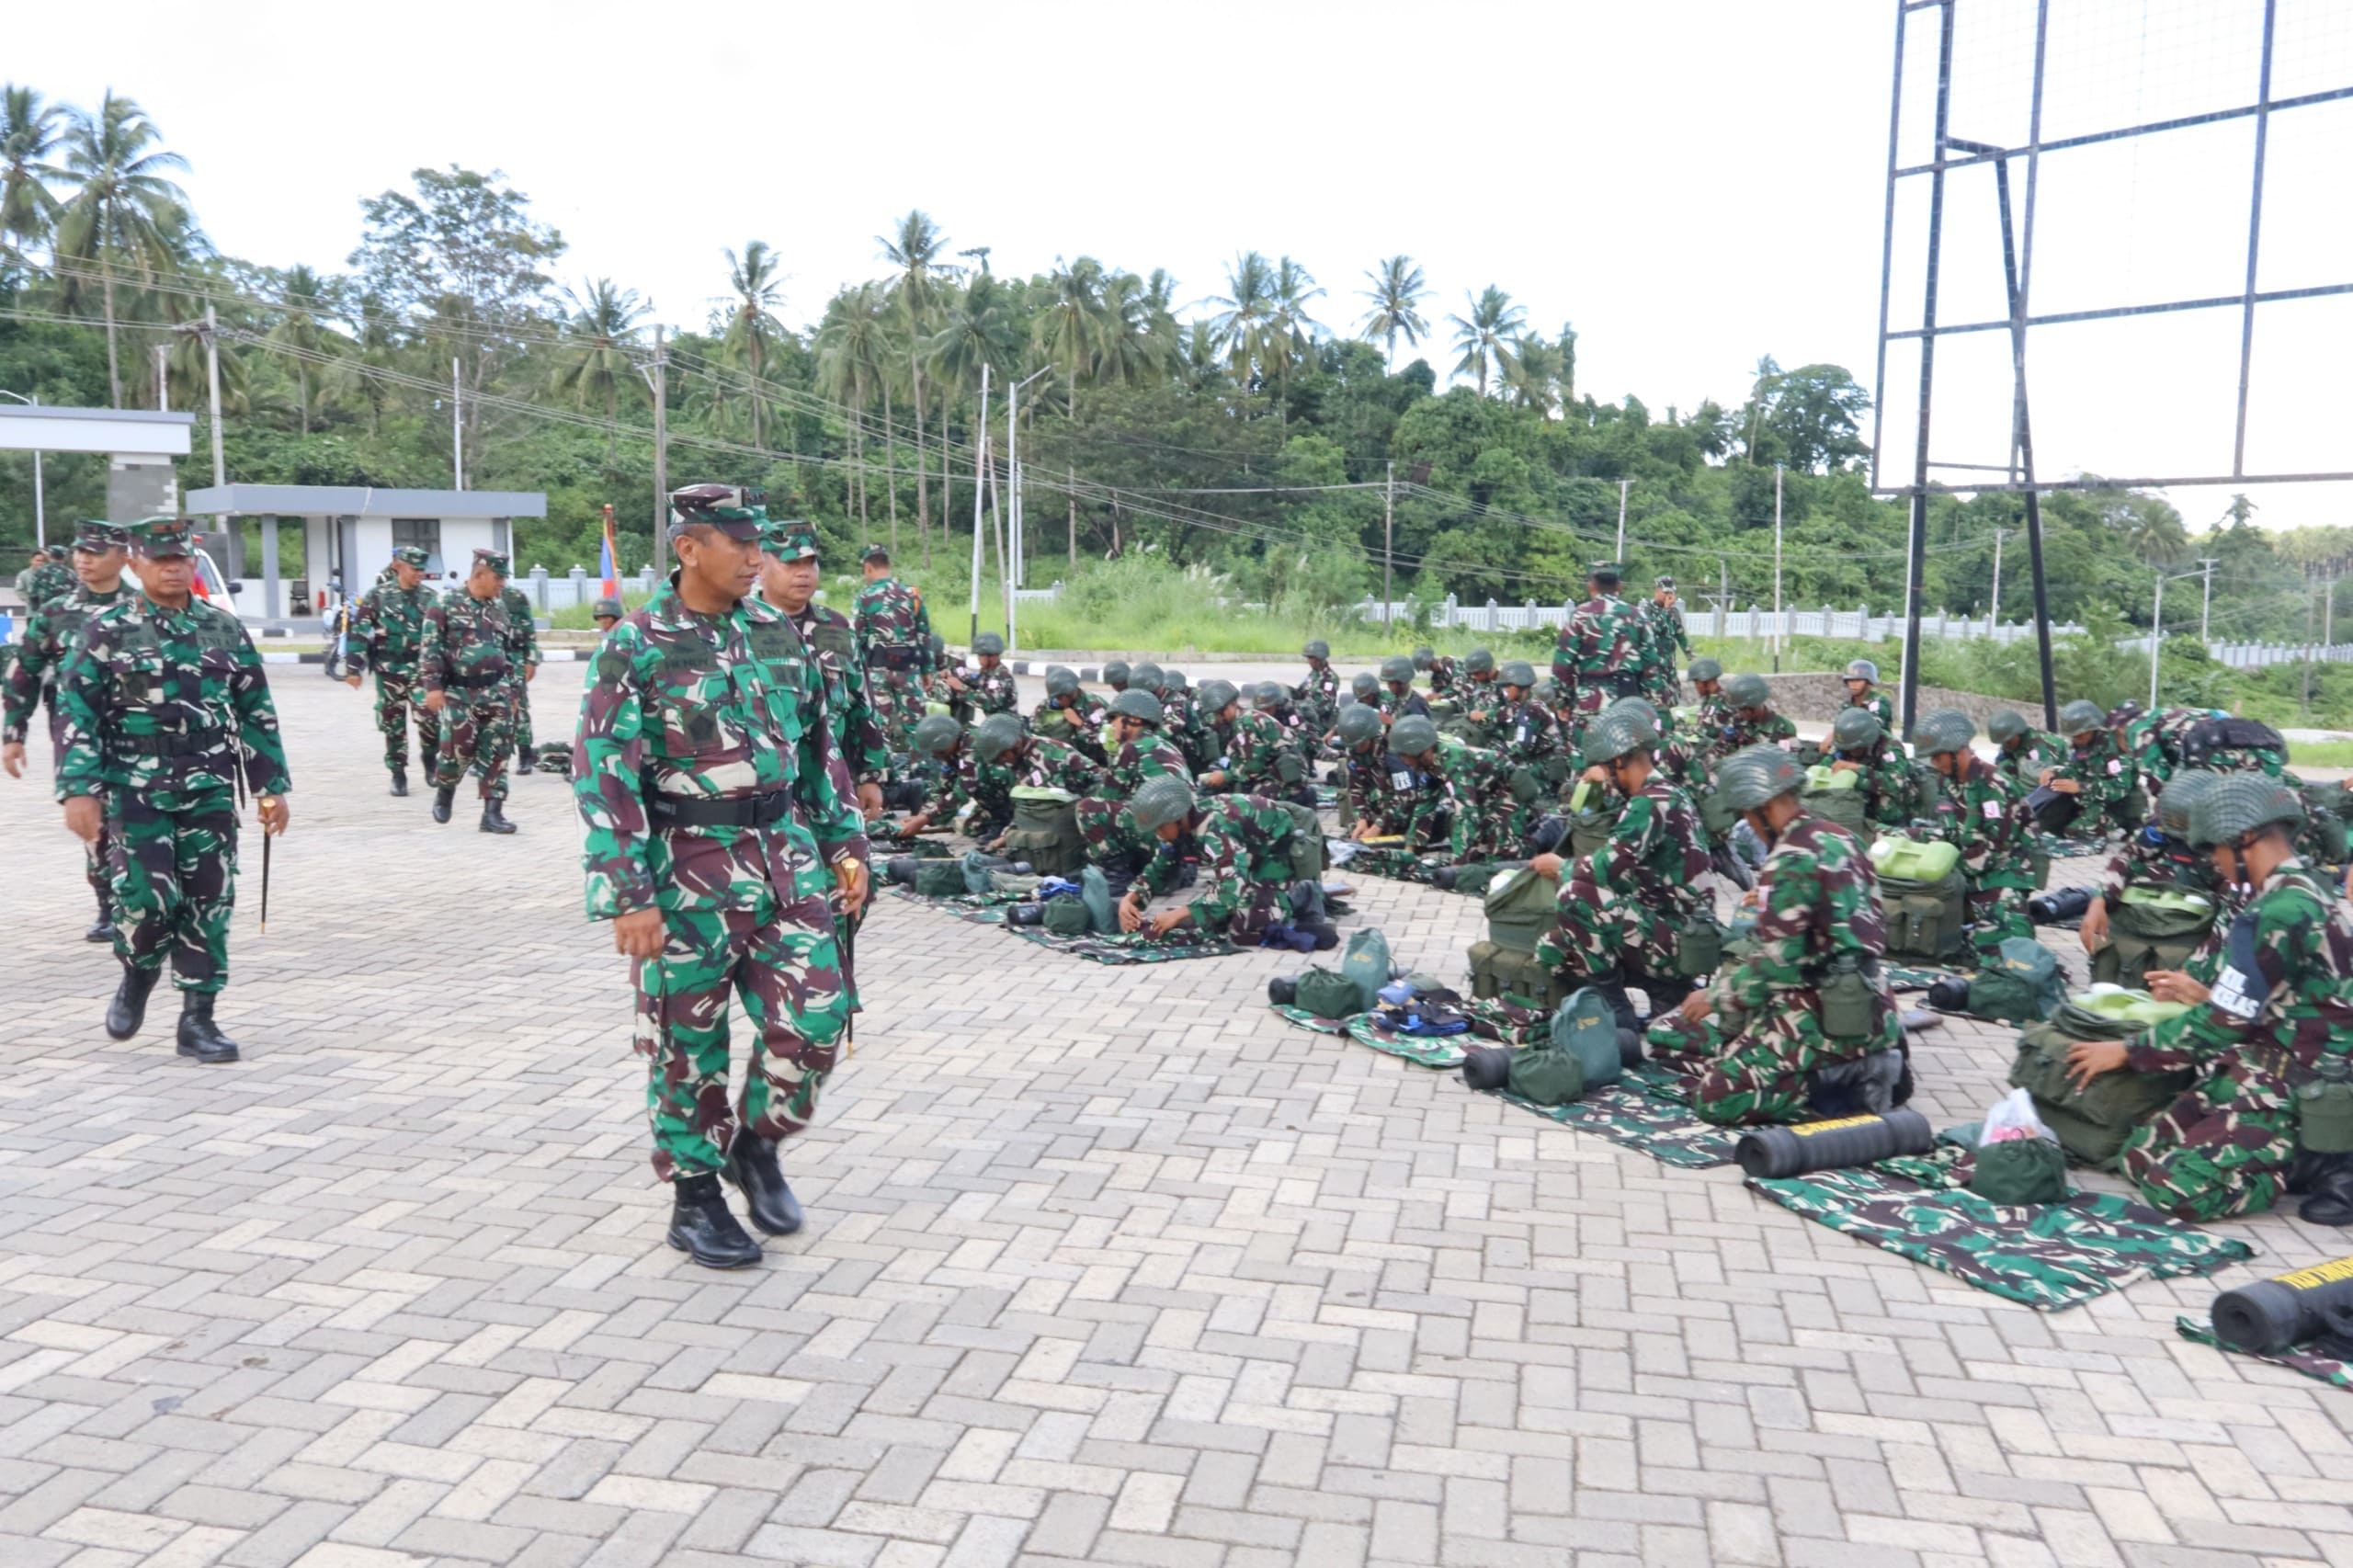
126,206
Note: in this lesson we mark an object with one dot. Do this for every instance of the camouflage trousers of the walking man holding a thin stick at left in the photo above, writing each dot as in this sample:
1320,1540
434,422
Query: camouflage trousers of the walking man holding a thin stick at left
175,884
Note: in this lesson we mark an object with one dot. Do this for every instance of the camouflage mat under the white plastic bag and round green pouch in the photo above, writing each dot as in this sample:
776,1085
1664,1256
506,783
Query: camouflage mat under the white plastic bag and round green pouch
2048,1256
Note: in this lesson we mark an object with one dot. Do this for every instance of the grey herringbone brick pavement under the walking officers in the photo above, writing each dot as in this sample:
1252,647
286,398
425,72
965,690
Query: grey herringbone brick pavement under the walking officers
1105,1268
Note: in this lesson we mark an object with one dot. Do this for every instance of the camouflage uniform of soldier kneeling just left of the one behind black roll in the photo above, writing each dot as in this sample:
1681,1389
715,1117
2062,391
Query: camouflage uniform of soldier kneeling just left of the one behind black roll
1627,905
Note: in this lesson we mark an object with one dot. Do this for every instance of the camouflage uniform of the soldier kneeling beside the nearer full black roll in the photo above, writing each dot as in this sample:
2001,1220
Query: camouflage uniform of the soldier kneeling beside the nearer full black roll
1818,903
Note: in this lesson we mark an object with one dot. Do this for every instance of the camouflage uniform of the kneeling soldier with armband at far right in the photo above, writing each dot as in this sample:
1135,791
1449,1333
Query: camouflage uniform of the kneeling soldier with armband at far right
2284,1002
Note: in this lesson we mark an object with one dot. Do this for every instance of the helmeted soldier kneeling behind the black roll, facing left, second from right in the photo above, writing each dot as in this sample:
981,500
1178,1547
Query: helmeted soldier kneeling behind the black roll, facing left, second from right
1804,1023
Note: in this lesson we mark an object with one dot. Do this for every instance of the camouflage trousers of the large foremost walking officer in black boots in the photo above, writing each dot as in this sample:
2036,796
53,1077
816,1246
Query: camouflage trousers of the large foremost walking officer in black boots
787,969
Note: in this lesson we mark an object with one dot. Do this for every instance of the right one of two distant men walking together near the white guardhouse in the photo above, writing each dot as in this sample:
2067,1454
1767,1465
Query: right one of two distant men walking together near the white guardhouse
467,667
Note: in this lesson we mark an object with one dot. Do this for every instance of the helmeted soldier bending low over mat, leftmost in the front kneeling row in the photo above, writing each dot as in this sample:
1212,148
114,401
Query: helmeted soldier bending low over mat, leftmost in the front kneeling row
1246,868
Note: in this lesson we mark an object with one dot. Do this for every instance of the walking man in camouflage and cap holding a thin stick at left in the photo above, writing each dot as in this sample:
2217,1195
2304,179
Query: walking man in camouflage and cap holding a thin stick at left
161,700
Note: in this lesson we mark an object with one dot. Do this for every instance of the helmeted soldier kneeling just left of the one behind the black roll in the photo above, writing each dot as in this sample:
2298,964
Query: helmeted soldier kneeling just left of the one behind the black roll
1625,908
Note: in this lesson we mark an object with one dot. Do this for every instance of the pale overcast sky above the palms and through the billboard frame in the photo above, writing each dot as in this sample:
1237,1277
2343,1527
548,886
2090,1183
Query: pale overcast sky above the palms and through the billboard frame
1691,185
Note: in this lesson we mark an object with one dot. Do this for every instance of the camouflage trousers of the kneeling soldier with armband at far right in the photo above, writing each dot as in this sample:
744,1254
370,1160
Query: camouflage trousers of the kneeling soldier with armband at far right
2220,1150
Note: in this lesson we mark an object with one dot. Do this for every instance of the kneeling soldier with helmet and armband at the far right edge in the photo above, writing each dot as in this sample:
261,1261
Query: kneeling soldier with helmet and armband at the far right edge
2281,1004
